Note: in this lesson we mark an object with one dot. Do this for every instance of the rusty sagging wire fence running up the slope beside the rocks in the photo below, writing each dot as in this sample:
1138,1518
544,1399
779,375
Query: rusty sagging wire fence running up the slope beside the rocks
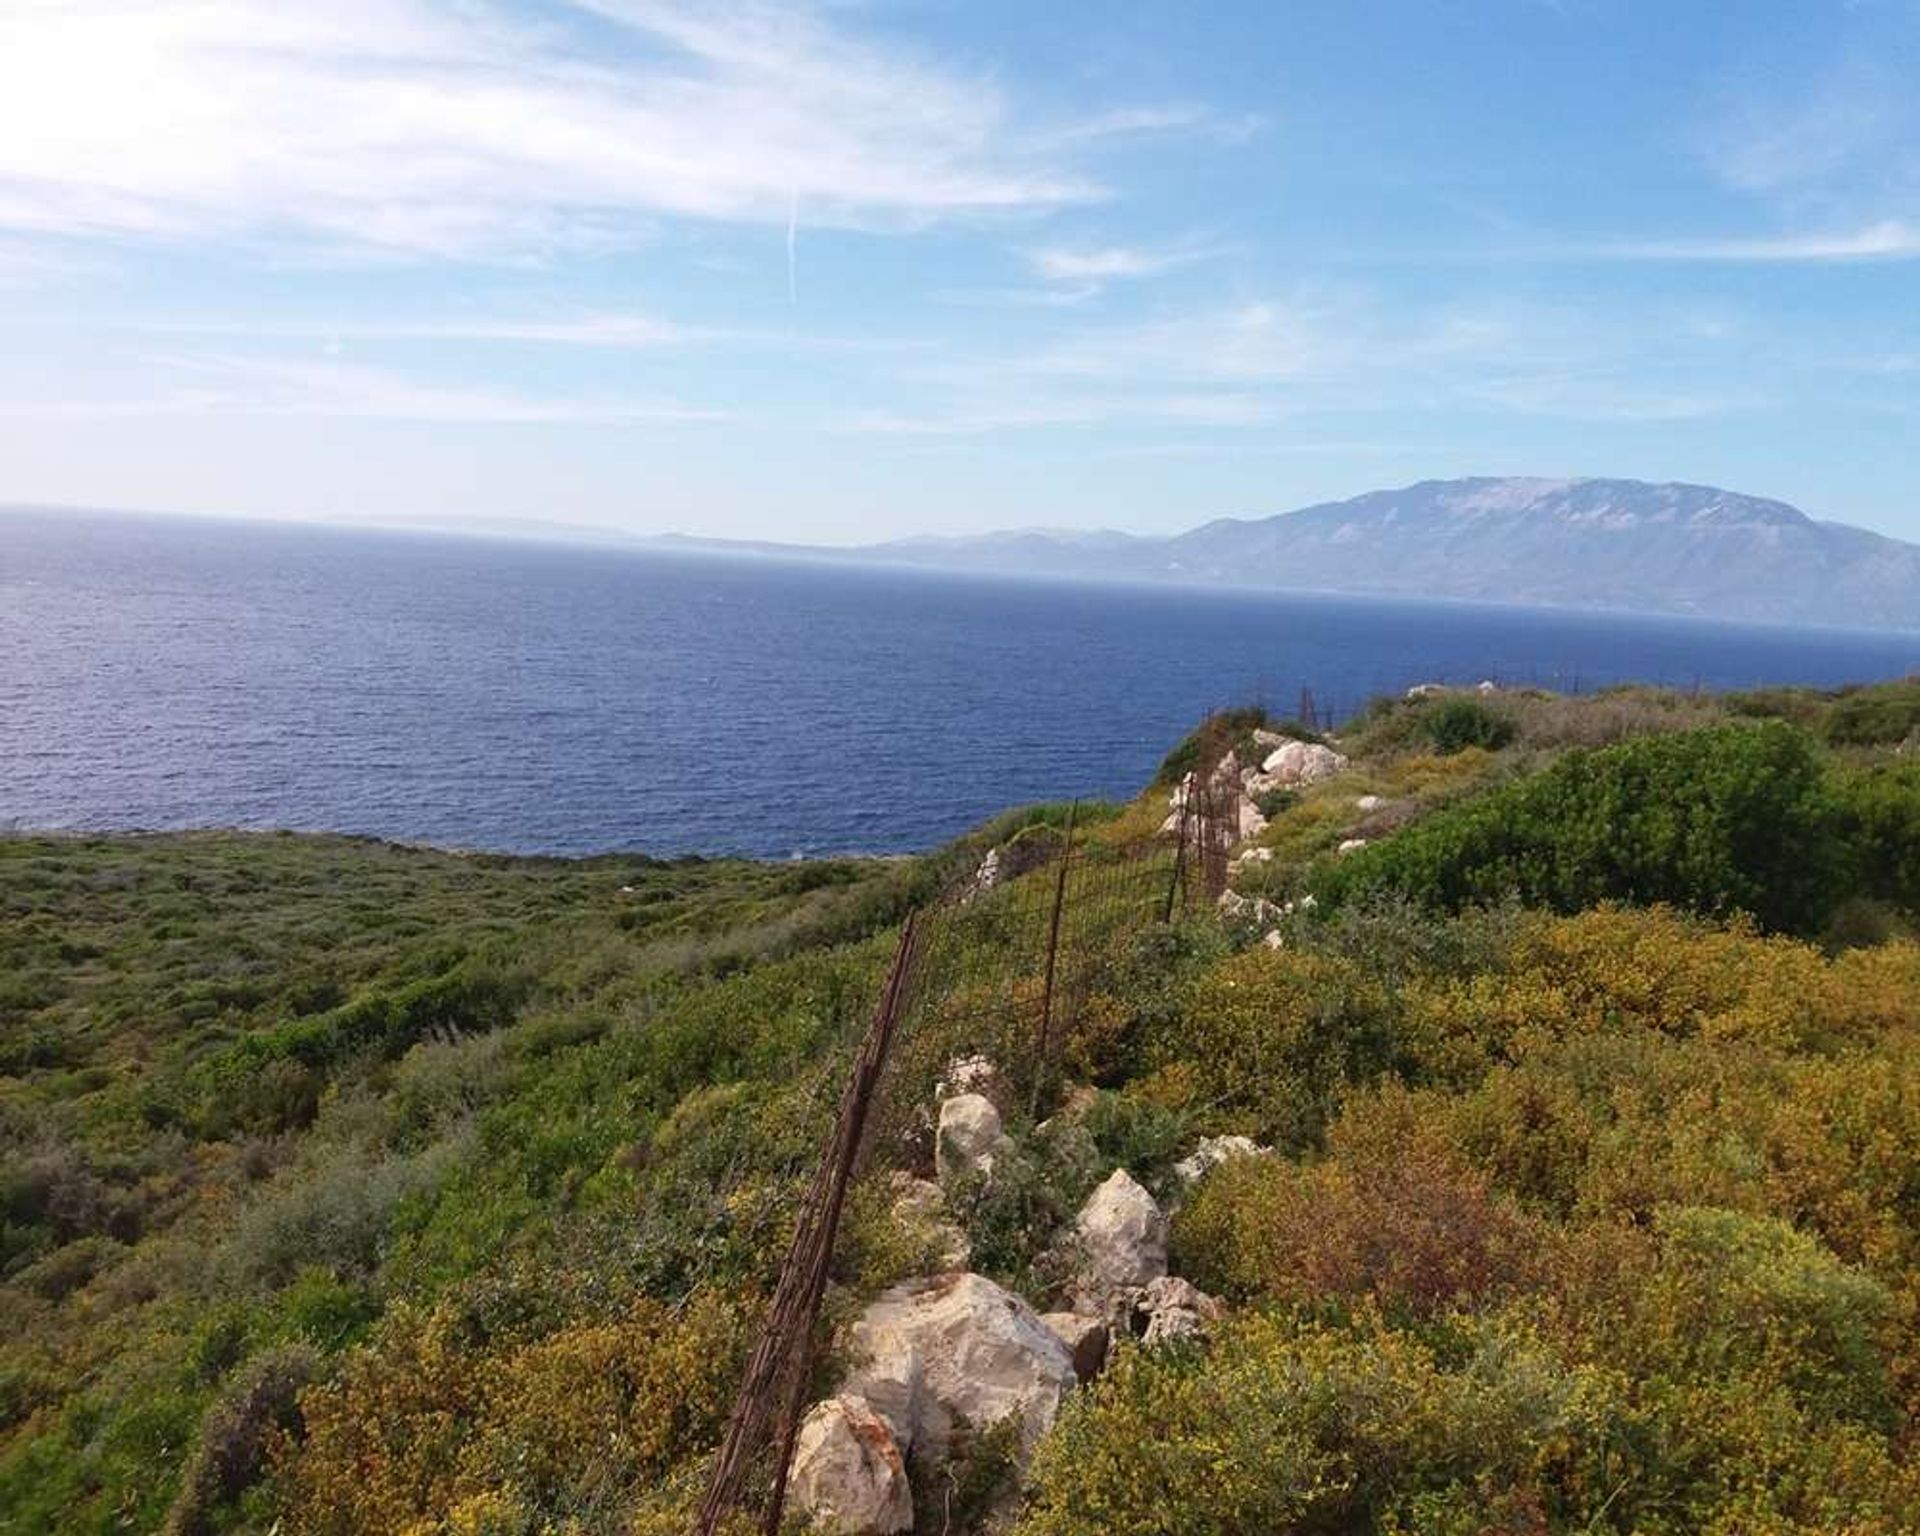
1001,967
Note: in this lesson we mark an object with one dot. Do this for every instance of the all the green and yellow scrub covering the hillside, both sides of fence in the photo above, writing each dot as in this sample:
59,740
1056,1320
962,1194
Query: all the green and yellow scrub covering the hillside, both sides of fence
362,1189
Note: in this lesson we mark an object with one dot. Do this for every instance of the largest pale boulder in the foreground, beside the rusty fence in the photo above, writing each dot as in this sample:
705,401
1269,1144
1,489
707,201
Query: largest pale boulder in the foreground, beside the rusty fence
957,1347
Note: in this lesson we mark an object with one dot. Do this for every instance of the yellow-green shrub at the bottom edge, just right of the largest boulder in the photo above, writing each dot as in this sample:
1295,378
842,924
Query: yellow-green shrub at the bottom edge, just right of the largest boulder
1297,1428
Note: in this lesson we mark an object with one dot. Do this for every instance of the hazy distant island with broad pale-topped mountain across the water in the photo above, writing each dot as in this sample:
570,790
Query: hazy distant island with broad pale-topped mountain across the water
1577,544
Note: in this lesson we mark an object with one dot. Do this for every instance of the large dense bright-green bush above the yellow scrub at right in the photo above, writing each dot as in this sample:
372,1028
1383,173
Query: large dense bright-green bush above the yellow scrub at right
1729,819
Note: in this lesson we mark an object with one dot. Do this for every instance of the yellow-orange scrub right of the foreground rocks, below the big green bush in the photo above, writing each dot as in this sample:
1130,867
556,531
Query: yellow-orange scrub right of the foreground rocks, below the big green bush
1616,1234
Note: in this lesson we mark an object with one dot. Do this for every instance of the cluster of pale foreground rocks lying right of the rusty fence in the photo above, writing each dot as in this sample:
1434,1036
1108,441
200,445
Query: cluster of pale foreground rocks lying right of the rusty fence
955,1351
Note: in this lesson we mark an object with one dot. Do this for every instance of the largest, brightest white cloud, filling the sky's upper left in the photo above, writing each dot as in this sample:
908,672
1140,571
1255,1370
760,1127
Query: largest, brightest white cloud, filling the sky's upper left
446,128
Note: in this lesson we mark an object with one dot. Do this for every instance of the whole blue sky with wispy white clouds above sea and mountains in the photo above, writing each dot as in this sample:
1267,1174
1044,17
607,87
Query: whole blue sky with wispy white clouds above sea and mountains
853,272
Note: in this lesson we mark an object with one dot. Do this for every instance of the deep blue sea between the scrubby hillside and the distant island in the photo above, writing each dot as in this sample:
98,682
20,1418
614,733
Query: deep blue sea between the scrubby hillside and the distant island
170,673
